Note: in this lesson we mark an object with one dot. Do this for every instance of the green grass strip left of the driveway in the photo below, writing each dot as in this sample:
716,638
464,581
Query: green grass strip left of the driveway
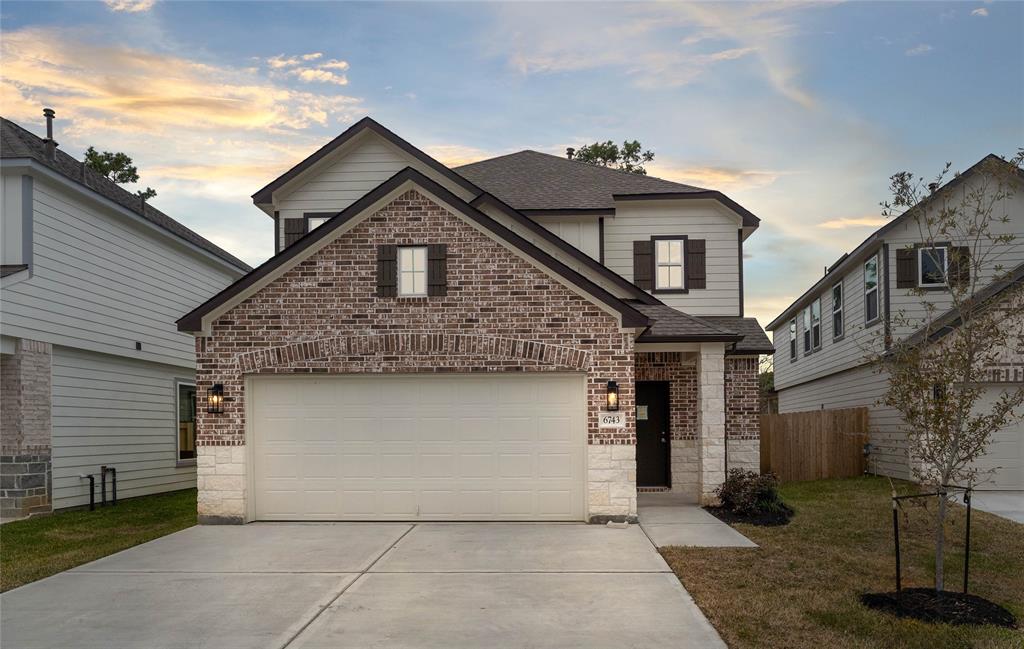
36,548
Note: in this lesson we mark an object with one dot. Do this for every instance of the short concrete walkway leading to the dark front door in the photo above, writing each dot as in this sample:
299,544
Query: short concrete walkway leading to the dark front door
670,521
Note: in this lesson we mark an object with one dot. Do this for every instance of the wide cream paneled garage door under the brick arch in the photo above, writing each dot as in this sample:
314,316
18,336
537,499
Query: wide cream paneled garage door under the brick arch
404,448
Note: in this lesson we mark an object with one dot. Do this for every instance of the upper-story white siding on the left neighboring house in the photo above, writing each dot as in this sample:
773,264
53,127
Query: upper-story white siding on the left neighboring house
103,283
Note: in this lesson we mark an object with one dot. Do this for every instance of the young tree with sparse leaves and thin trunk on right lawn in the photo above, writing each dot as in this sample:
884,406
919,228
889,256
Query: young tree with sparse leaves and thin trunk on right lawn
936,375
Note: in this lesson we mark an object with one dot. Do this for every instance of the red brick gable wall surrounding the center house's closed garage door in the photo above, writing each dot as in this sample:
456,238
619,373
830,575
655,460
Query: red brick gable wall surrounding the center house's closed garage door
501,315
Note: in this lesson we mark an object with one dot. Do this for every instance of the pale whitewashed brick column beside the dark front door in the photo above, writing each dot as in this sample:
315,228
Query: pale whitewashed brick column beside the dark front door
711,419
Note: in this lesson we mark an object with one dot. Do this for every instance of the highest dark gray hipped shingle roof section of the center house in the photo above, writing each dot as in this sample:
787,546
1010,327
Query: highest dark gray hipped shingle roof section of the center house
532,181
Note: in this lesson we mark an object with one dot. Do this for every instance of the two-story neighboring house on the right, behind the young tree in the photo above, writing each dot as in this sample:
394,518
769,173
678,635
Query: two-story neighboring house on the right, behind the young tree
824,339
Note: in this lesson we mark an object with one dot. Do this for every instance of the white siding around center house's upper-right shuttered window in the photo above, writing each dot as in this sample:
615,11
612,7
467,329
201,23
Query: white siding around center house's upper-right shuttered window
697,220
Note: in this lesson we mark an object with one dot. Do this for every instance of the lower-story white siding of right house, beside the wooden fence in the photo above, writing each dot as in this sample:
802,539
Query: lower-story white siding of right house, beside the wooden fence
860,387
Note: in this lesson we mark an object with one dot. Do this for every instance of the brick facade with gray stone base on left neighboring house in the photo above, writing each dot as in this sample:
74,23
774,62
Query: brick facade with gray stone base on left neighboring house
25,430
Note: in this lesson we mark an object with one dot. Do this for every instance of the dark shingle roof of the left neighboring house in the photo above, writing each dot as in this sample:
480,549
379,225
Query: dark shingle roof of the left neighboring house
17,143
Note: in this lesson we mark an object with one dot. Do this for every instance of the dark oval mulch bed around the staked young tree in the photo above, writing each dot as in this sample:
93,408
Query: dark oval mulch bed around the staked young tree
929,607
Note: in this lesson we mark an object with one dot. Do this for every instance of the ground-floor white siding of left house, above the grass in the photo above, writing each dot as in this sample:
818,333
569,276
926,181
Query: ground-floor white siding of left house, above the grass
115,412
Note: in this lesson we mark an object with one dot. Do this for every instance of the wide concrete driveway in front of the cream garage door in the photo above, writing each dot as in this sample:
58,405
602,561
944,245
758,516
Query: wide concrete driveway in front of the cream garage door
366,585
